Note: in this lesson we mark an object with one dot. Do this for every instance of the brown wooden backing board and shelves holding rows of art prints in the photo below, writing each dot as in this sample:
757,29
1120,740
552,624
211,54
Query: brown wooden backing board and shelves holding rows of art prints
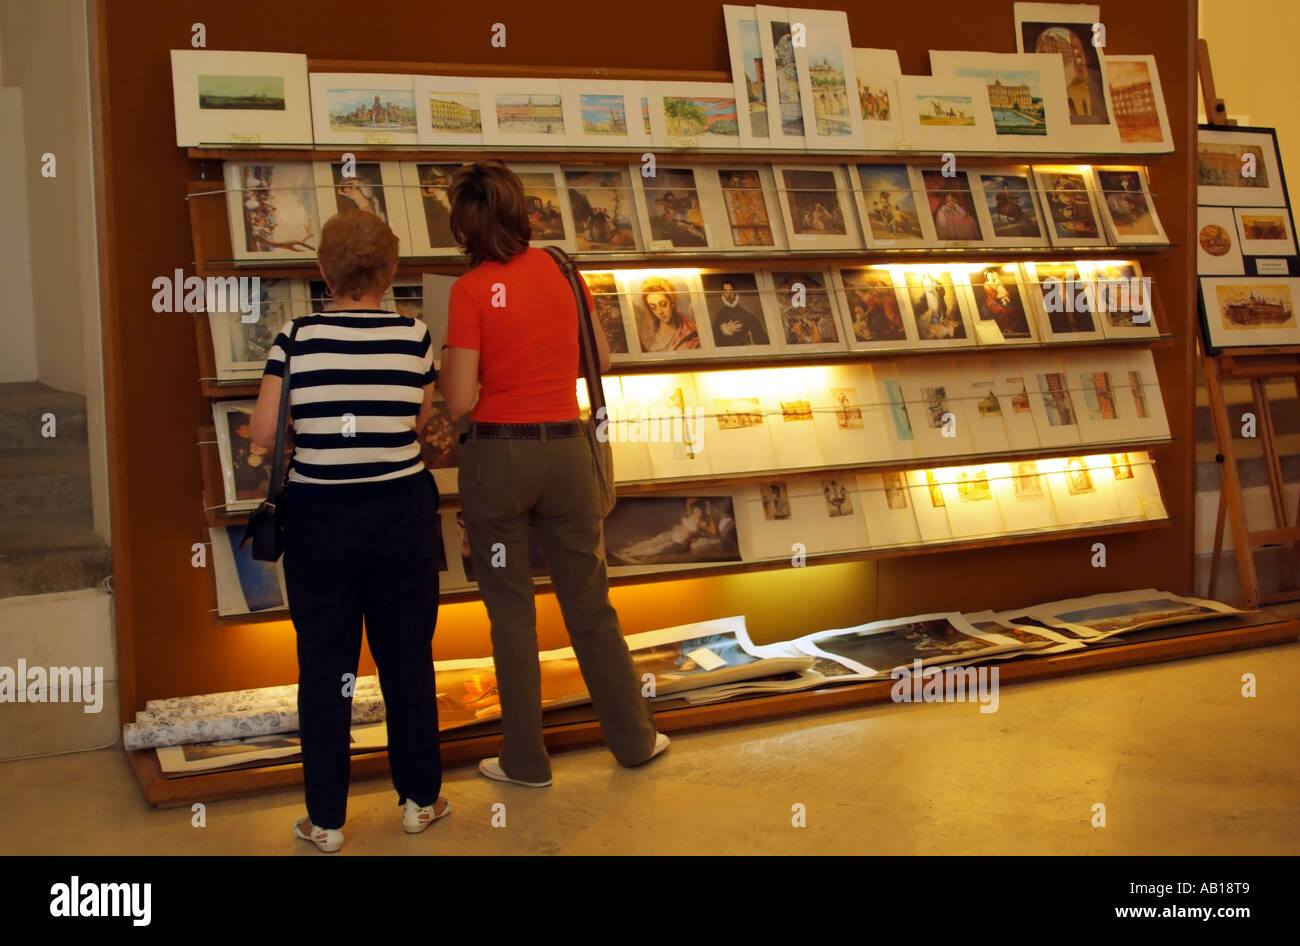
170,645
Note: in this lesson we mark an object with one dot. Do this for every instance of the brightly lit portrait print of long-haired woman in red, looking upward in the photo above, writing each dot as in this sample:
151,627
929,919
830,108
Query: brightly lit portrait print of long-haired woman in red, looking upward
666,307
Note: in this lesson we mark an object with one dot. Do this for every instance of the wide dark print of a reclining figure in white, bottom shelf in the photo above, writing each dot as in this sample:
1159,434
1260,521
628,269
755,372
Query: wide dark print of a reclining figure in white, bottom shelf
661,531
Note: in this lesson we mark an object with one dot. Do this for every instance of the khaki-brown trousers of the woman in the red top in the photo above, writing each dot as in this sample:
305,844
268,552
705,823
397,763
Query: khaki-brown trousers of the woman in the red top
505,487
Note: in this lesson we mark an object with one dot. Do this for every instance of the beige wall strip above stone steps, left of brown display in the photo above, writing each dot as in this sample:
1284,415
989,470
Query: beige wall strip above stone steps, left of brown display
45,54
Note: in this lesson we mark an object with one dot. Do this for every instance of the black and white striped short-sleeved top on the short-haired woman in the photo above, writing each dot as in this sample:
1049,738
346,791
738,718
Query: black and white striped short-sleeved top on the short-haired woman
356,383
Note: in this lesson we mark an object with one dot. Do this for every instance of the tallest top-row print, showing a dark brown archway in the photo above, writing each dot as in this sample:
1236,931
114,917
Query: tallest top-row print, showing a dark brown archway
1065,31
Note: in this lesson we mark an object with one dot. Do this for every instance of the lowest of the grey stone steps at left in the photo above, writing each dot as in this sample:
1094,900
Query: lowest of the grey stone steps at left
51,553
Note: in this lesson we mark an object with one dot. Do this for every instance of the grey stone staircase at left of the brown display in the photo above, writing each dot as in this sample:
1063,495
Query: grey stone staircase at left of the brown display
47,537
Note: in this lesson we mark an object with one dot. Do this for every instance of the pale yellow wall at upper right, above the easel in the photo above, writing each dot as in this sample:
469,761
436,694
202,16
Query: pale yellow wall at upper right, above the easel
1256,68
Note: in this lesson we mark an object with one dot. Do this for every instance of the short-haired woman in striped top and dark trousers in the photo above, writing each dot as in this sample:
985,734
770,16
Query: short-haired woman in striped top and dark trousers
362,527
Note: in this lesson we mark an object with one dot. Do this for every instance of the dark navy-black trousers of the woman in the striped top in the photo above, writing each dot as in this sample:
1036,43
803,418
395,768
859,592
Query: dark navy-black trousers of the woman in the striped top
374,557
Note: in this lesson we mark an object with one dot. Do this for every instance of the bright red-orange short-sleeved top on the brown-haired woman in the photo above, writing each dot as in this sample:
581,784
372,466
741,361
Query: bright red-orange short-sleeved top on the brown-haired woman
522,319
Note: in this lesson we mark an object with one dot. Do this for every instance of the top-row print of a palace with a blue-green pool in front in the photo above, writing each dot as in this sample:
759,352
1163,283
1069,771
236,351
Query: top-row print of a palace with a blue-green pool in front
1026,96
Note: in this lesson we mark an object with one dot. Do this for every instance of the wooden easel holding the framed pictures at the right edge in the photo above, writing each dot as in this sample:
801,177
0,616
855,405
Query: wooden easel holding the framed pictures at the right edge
1256,367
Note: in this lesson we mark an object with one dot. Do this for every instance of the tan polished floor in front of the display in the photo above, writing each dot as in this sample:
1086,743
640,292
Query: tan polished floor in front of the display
1182,762
